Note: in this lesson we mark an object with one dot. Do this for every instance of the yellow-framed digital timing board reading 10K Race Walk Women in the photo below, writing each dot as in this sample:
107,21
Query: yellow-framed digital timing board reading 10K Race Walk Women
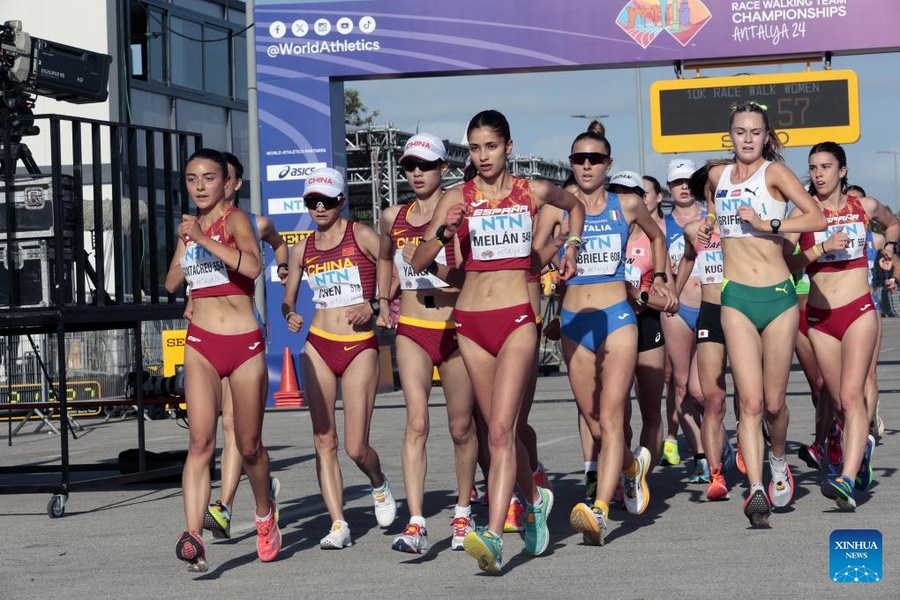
691,115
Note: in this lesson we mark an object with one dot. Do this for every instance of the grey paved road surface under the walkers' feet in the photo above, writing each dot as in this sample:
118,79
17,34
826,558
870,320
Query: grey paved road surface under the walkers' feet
118,541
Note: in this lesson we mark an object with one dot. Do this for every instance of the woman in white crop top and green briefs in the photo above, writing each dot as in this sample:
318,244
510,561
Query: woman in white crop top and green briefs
759,306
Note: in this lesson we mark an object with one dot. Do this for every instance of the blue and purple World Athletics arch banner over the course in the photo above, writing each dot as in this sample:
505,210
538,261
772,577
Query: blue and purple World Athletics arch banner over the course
305,49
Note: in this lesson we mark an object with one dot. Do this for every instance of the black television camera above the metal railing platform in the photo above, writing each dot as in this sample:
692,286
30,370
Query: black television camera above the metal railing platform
31,67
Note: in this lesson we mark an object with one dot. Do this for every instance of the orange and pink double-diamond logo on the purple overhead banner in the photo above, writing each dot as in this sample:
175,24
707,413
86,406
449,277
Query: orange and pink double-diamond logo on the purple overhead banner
644,20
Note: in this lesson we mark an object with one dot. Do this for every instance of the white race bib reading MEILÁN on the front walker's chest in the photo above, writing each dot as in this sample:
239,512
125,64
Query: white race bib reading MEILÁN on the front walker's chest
497,233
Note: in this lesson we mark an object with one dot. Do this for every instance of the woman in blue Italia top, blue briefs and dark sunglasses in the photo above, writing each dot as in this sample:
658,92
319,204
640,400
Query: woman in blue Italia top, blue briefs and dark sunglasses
598,328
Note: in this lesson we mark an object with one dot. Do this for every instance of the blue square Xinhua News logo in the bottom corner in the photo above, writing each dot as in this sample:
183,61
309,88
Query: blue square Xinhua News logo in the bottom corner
855,556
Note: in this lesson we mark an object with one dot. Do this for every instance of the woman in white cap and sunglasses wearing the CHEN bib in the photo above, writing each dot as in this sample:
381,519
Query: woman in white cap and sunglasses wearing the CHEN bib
339,261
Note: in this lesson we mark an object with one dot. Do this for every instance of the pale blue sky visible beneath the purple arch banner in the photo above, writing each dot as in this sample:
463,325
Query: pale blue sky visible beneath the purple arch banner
539,108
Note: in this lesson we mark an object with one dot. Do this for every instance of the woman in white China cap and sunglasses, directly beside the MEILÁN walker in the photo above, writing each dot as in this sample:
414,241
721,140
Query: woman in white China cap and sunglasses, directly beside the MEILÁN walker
426,338
